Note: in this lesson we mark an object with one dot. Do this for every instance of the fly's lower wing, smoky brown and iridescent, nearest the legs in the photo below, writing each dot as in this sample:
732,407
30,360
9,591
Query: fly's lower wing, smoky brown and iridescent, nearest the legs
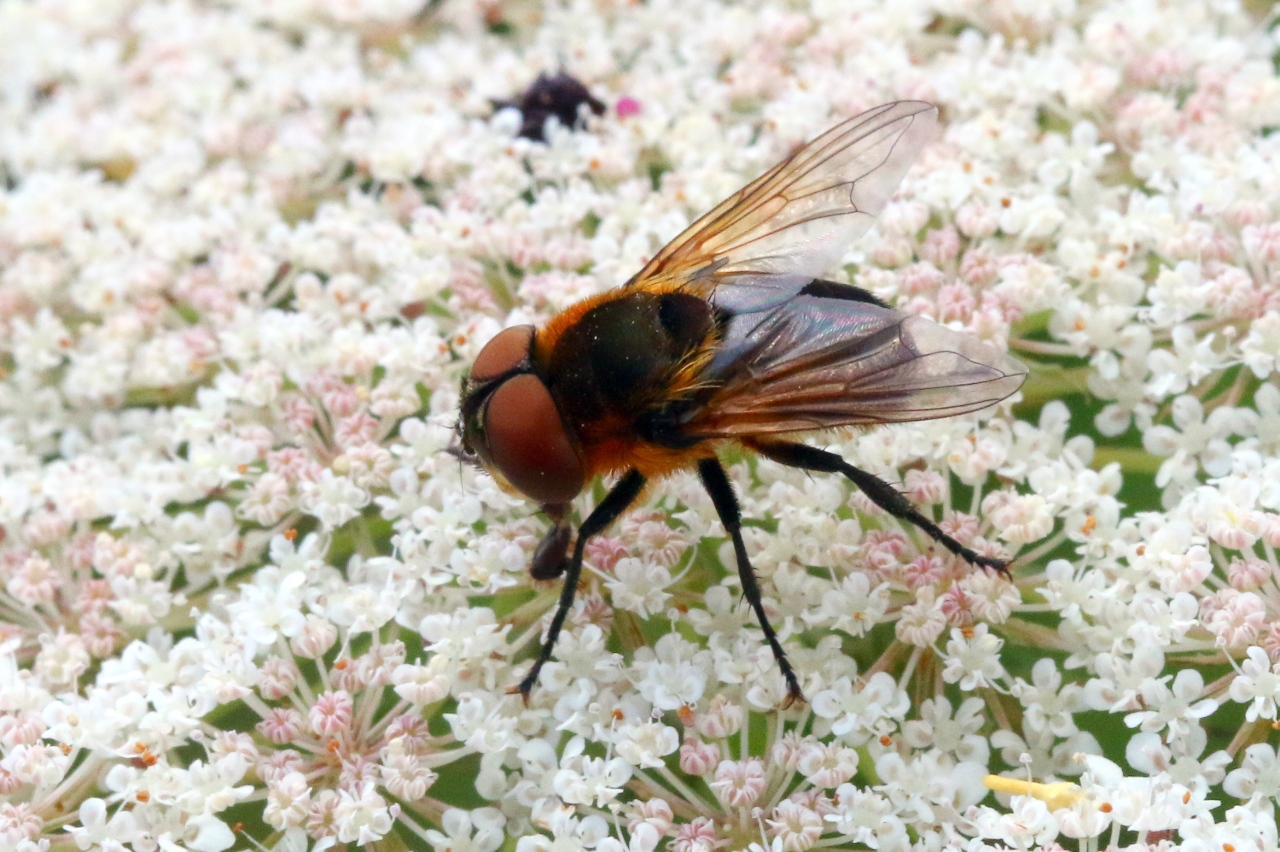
797,358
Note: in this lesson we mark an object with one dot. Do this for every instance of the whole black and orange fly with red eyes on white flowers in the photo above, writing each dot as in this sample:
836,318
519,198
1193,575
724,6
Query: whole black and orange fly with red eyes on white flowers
729,336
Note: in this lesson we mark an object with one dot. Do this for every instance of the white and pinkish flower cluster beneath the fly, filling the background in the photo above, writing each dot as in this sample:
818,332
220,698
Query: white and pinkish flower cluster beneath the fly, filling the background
250,598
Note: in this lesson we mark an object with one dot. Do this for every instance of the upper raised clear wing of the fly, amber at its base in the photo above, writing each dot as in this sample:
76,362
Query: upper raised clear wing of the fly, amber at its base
803,214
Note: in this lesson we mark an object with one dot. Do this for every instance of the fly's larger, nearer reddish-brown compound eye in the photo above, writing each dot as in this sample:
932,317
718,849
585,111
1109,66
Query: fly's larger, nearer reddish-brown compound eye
528,442
